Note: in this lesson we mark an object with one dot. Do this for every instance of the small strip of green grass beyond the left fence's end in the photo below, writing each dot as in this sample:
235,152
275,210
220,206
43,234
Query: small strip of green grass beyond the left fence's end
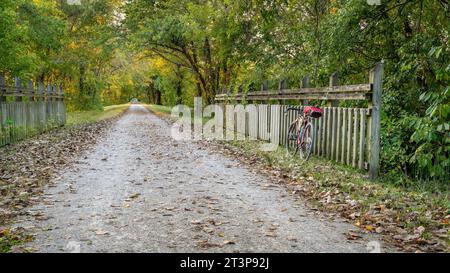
77,118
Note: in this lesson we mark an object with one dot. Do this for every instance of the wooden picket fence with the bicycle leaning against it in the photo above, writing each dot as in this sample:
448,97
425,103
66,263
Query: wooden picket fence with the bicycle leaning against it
350,136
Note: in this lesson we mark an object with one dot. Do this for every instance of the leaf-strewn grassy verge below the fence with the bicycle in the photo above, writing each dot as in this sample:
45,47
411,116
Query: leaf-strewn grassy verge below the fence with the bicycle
412,220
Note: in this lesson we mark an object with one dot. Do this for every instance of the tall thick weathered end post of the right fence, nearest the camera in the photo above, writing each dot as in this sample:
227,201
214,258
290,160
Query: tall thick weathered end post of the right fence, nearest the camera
376,79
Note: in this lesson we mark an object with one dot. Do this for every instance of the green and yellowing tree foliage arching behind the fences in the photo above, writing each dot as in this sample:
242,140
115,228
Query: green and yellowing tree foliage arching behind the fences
167,52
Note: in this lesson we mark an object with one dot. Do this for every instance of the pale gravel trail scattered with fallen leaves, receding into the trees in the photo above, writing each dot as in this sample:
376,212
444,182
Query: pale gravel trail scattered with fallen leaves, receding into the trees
140,191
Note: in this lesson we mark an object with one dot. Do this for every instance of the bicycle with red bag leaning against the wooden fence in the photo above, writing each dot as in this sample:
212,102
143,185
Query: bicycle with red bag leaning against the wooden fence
300,135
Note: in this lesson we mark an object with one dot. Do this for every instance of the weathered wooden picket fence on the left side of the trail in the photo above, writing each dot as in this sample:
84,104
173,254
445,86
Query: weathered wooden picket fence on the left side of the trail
28,110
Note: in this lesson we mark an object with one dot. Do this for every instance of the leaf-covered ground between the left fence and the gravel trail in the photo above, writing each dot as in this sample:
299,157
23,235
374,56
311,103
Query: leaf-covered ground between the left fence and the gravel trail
28,166
